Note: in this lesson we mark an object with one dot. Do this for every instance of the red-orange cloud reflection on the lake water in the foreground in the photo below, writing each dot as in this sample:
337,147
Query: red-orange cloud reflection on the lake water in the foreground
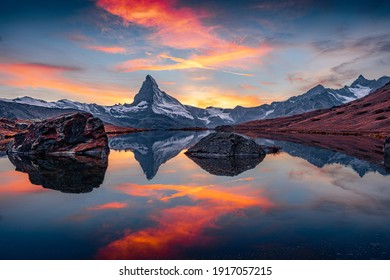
181,226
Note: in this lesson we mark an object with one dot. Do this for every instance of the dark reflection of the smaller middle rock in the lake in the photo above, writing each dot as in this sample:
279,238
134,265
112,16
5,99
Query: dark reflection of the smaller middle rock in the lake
227,166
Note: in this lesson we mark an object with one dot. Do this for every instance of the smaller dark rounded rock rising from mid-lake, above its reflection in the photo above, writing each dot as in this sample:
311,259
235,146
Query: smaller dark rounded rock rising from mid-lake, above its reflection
222,144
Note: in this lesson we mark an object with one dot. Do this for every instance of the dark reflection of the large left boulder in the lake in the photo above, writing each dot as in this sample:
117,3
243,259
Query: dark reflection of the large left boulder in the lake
79,174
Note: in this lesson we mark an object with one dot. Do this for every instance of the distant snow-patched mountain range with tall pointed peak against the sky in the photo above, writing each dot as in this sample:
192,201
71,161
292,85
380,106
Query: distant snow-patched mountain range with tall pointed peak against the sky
155,109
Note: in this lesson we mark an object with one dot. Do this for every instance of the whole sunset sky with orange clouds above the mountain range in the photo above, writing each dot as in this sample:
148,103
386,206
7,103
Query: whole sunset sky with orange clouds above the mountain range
203,52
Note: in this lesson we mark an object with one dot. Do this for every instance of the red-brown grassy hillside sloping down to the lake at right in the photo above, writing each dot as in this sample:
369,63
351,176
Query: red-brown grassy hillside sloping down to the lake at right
370,114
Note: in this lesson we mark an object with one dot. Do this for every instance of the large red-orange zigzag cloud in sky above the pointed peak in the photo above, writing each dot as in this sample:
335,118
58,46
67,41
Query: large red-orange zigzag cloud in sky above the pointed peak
182,28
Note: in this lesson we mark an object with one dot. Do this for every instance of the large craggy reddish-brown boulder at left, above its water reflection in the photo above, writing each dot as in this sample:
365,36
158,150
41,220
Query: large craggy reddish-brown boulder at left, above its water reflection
78,133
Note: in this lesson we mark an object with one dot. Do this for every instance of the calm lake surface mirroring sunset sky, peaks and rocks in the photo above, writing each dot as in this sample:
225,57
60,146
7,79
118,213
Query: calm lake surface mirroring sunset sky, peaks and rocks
153,202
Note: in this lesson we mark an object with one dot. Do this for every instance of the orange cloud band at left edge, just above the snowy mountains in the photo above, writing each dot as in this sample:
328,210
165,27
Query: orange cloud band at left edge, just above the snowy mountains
53,77
